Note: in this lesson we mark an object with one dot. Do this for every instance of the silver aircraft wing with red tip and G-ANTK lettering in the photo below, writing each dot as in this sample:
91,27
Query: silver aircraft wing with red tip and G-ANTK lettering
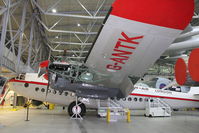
134,36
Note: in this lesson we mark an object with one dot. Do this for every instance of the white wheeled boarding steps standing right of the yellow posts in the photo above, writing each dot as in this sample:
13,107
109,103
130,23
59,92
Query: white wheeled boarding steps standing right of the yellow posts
157,107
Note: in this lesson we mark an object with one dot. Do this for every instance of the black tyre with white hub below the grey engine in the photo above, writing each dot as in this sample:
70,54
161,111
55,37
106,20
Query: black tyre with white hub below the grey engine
80,109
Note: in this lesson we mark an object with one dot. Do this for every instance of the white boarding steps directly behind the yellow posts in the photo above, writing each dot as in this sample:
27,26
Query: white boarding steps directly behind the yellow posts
117,111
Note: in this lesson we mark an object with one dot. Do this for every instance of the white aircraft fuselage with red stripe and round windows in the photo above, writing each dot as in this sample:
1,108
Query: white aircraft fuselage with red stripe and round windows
31,86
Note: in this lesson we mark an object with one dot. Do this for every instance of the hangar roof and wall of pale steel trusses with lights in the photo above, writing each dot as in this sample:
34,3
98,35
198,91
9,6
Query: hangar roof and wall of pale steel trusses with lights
33,31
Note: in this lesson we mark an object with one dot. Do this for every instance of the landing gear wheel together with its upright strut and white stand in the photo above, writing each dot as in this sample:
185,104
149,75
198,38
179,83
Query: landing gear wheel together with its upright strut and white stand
76,109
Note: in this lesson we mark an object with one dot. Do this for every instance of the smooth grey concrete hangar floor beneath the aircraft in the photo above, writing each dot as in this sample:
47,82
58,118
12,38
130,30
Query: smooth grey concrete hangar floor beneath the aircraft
57,121
